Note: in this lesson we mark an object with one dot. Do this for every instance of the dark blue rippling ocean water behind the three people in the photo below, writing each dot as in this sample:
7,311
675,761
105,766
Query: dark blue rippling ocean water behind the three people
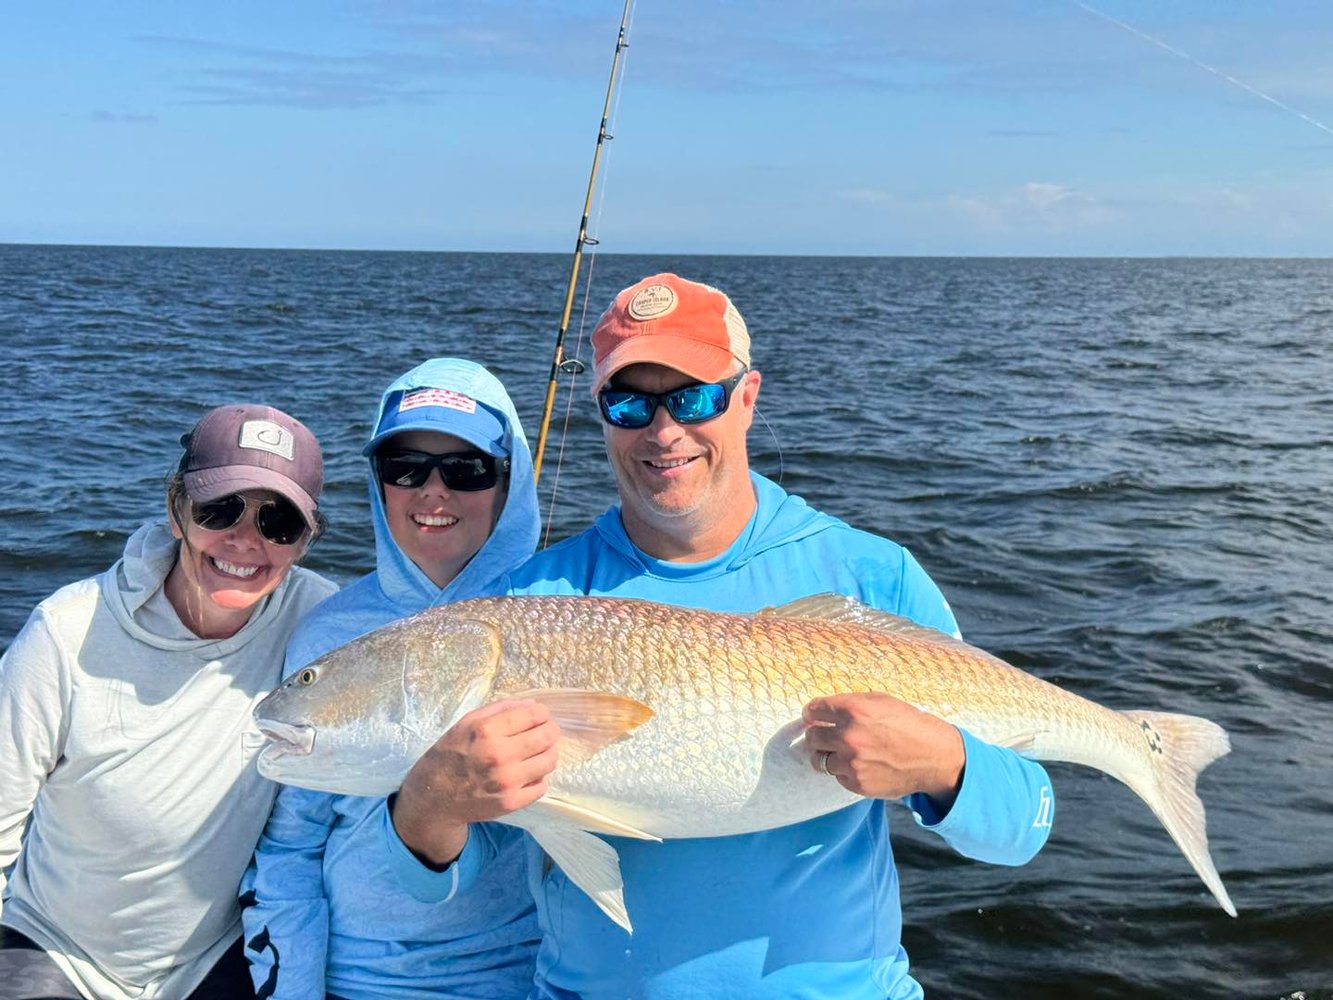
1119,471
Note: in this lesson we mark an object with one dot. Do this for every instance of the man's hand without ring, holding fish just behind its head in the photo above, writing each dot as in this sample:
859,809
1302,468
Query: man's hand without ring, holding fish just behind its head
494,762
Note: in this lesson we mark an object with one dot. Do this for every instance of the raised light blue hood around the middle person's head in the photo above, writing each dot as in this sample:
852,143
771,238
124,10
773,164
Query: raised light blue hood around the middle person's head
398,587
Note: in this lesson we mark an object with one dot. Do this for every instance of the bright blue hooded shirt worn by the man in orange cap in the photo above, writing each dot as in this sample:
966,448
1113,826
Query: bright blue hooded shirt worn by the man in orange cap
803,911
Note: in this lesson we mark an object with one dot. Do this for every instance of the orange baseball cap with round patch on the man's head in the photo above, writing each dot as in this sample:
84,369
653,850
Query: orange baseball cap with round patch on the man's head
670,321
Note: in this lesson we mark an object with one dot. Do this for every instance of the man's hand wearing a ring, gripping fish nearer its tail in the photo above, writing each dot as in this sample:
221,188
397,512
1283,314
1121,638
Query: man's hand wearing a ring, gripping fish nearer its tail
884,749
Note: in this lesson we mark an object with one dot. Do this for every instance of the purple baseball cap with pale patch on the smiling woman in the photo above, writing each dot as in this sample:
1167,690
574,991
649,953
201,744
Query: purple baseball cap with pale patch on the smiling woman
250,447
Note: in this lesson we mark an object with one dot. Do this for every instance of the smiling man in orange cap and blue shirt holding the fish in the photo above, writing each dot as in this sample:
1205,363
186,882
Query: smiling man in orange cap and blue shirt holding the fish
810,910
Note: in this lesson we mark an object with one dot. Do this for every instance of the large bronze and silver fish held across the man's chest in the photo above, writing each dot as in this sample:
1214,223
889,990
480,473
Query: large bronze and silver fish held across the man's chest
686,723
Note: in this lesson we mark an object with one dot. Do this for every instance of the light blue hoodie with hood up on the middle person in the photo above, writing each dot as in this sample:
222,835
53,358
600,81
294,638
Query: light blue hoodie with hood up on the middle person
327,910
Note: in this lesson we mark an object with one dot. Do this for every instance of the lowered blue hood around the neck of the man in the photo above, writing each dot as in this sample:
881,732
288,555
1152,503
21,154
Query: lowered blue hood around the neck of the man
779,518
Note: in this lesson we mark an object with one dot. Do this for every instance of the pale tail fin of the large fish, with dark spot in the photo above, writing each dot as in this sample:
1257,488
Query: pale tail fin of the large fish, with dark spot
1179,747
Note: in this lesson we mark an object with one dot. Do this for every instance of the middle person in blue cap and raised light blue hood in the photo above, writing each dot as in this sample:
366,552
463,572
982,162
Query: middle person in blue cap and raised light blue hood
454,507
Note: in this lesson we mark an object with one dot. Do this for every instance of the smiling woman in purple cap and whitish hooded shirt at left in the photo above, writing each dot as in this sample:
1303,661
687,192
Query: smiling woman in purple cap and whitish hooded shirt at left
129,791
